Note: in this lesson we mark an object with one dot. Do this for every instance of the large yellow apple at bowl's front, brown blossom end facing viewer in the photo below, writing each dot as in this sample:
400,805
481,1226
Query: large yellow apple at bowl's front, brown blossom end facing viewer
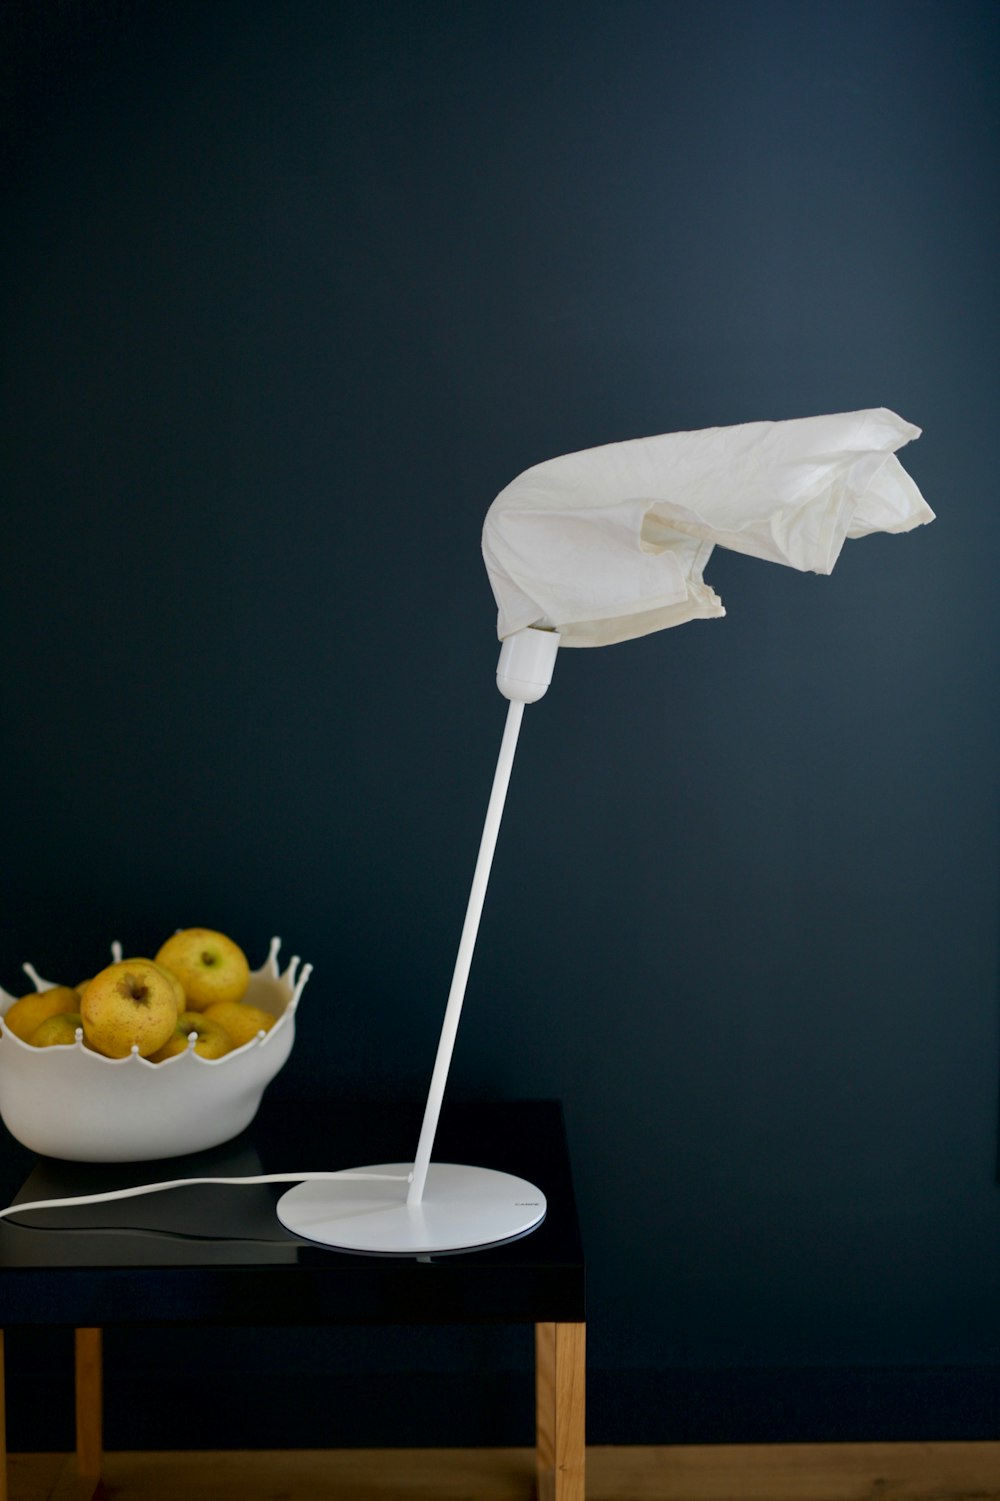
130,1005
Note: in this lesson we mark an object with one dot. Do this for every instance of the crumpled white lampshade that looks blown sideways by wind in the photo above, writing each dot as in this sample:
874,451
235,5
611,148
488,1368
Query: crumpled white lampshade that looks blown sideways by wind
612,543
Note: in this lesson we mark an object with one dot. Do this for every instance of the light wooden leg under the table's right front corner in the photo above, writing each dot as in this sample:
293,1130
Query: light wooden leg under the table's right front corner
561,1380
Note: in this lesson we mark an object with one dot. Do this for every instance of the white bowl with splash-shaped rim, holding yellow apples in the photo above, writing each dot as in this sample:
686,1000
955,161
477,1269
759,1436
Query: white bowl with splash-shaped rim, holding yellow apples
76,1104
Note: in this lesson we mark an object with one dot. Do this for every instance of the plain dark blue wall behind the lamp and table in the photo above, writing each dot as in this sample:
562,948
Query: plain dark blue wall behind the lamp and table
291,293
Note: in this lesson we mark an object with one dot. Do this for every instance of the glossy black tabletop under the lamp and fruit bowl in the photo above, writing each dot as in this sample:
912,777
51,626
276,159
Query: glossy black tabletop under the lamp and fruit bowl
220,1256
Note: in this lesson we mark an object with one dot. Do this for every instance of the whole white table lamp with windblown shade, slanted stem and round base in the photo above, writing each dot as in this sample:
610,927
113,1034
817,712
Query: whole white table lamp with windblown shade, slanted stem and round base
589,550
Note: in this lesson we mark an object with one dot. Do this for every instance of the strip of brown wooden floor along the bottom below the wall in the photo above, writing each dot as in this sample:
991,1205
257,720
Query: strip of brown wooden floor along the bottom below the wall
726,1473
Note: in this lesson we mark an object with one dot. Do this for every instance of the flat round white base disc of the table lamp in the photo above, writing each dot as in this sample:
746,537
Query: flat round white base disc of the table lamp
460,1211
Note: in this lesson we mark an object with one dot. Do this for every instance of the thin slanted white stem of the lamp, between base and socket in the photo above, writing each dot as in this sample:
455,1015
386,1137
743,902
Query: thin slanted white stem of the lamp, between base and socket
468,943
